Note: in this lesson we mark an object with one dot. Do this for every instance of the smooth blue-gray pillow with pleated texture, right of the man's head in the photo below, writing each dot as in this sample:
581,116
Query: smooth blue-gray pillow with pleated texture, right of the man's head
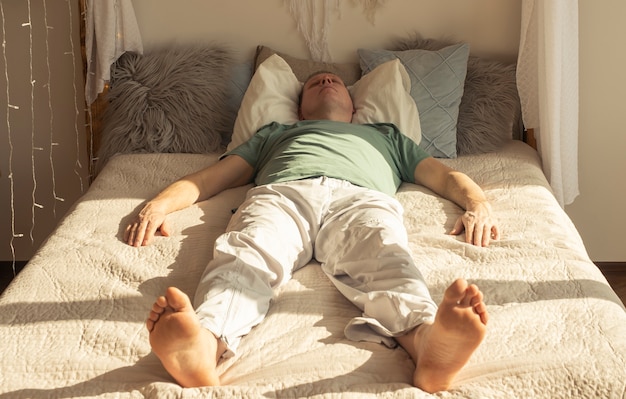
437,81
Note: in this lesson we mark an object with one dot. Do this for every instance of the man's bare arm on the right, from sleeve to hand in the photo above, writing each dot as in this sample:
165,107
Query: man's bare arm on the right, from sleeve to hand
477,220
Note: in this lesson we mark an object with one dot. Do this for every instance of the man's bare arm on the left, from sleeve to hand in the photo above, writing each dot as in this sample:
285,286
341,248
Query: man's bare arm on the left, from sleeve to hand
232,171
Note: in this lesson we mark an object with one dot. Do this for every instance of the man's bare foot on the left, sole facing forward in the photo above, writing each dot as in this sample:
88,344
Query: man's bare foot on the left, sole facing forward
188,351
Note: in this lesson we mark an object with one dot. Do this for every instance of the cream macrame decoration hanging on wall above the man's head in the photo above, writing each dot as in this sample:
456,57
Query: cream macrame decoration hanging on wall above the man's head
313,19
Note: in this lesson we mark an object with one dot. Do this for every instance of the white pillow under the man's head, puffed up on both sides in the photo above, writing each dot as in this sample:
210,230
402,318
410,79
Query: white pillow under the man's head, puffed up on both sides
383,95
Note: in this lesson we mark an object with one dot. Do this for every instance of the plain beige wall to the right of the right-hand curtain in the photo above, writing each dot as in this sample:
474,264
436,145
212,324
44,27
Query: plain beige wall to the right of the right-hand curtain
599,212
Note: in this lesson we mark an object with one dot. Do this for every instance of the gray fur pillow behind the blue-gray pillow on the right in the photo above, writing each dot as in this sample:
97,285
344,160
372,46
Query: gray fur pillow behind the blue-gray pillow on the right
490,110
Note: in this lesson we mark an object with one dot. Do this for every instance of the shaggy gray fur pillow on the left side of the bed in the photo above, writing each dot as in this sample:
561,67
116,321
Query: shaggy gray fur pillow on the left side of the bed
173,99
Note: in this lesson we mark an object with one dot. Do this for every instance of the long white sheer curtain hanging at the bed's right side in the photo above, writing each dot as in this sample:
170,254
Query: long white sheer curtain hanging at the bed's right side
547,79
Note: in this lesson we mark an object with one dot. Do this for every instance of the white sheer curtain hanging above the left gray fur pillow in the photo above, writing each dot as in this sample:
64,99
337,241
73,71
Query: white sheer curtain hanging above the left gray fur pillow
110,30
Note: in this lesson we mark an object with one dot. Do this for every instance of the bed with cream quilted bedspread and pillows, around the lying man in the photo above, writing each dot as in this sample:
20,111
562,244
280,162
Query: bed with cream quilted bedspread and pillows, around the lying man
73,319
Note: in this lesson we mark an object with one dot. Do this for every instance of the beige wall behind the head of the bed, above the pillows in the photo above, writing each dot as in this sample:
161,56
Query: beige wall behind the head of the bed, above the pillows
491,26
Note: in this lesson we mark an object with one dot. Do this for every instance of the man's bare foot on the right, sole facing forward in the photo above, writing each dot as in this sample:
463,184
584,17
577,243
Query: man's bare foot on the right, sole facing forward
441,349
